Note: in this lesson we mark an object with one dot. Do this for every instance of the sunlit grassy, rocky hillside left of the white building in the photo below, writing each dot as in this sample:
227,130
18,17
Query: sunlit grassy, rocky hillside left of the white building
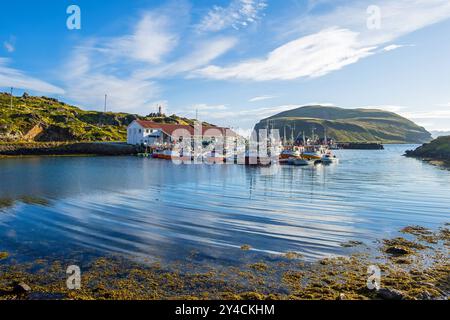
45,119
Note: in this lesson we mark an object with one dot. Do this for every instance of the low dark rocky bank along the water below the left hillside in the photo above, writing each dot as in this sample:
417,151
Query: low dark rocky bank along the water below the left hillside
66,148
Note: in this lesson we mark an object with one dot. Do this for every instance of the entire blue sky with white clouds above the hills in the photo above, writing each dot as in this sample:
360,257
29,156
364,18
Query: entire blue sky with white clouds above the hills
232,61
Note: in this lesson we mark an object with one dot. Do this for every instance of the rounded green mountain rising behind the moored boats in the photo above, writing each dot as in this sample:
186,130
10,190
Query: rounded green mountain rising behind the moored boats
346,125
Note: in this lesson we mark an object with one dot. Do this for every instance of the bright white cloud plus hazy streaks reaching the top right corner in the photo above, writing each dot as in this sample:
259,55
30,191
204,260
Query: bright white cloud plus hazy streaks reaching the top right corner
346,40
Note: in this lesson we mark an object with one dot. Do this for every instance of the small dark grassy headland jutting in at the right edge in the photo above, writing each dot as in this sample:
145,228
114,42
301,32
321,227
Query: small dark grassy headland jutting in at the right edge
435,152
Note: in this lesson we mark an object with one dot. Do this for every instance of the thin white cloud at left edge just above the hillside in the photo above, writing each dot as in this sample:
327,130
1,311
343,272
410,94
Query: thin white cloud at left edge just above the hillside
10,77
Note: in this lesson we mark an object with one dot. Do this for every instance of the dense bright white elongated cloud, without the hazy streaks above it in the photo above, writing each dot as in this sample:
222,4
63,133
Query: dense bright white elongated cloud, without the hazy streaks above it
311,56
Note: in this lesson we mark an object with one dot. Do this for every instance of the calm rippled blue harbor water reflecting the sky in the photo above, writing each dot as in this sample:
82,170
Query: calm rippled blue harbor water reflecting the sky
58,206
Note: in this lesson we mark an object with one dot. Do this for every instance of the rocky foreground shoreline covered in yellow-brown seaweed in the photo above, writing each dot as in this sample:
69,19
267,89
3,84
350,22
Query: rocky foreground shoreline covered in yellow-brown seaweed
413,267
